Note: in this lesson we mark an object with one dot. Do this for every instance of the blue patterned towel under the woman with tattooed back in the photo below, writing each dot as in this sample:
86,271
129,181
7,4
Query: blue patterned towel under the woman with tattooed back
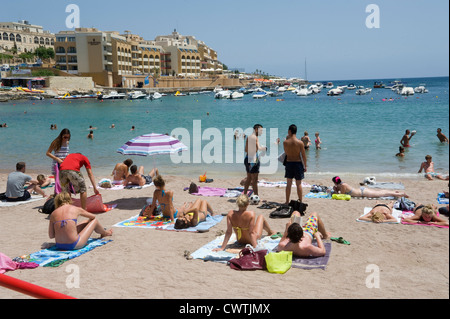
52,257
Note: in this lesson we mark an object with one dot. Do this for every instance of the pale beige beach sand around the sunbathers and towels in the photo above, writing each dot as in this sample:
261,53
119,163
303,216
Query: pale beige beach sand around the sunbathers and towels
145,263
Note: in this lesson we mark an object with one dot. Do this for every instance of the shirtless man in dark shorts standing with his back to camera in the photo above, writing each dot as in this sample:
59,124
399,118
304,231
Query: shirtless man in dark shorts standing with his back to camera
295,162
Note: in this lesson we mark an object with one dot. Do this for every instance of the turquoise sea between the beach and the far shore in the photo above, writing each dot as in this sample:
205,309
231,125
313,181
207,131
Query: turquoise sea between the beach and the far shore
360,134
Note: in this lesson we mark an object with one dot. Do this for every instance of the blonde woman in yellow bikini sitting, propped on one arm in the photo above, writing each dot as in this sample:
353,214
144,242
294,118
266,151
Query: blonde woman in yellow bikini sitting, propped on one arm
247,226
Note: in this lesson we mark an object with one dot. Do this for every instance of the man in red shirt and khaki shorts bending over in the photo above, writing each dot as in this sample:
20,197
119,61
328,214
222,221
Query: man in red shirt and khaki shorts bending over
70,173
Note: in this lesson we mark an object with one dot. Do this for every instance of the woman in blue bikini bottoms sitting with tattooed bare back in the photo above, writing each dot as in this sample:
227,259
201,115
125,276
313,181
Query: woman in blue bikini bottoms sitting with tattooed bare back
64,227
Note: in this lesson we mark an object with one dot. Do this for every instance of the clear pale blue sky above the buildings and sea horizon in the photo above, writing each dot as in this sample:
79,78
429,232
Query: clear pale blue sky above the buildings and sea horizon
410,37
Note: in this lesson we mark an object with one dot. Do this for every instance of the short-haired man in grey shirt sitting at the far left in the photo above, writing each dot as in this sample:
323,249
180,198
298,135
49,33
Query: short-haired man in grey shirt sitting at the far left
17,181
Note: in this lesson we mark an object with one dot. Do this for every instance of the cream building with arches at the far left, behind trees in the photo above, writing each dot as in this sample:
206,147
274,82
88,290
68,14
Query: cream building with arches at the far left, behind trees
24,36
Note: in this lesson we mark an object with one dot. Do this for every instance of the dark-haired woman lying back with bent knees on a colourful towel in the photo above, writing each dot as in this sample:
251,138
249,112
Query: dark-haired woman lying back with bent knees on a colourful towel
191,214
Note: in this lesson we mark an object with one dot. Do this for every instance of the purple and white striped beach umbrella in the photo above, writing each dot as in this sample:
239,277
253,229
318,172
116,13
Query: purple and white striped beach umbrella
152,144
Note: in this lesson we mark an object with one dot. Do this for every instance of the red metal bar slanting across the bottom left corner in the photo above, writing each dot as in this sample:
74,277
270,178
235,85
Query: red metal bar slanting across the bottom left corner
30,289
